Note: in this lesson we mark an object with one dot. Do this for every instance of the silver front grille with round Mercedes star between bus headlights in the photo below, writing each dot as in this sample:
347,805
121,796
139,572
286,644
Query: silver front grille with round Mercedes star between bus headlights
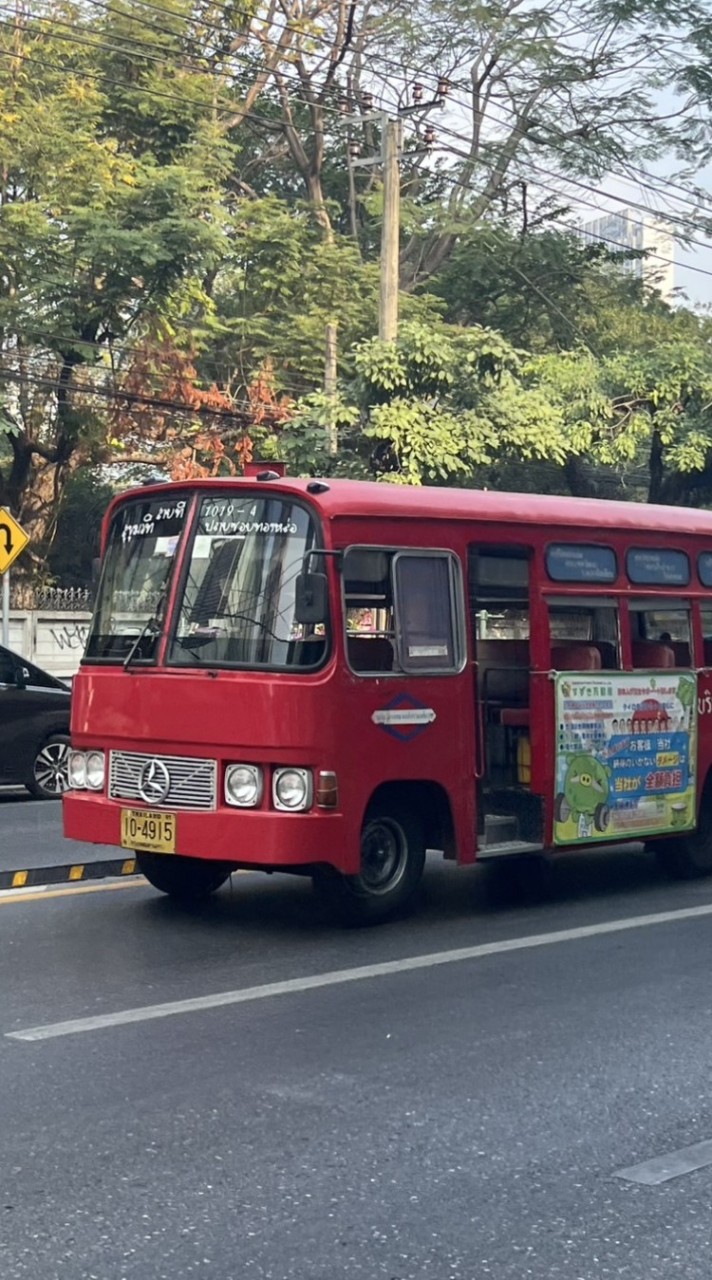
163,781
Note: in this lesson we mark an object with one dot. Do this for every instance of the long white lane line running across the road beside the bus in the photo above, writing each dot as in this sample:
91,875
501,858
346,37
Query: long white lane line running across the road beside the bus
337,977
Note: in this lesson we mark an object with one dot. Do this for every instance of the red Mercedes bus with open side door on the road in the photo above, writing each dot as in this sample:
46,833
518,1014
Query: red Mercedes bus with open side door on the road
332,678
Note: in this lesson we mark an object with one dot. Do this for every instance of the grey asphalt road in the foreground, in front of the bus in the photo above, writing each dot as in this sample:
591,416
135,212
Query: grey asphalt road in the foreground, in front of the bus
460,1121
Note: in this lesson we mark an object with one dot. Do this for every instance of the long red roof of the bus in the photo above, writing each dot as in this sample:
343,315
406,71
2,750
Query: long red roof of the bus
372,500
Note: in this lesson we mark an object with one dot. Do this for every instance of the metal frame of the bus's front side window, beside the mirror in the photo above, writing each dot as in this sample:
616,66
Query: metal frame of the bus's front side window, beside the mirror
458,611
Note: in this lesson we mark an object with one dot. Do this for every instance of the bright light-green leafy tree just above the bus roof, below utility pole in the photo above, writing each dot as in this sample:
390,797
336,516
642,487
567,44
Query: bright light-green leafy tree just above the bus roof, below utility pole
436,408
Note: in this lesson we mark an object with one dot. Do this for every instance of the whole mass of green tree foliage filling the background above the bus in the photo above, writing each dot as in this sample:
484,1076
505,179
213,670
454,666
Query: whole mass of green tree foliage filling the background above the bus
158,181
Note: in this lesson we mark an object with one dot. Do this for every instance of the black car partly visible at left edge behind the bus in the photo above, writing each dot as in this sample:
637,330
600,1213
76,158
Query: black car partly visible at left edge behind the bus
34,728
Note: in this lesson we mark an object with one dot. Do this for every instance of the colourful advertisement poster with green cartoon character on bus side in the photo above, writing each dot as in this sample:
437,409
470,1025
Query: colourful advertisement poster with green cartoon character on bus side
626,756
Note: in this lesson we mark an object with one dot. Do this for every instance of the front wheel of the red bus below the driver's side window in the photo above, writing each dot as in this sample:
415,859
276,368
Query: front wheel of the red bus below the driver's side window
392,863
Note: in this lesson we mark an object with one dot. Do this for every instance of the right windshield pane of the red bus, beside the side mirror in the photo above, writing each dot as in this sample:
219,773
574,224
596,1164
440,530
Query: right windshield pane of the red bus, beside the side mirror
238,601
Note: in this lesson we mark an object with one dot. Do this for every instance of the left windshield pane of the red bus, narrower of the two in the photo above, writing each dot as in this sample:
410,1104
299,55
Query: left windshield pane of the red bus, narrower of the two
143,543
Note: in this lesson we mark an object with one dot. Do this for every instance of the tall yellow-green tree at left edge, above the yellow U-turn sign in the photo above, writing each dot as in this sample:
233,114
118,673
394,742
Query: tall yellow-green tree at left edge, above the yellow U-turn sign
95,241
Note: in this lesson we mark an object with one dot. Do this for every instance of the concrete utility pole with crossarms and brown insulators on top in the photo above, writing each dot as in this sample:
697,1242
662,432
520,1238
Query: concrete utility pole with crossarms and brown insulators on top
390,162
